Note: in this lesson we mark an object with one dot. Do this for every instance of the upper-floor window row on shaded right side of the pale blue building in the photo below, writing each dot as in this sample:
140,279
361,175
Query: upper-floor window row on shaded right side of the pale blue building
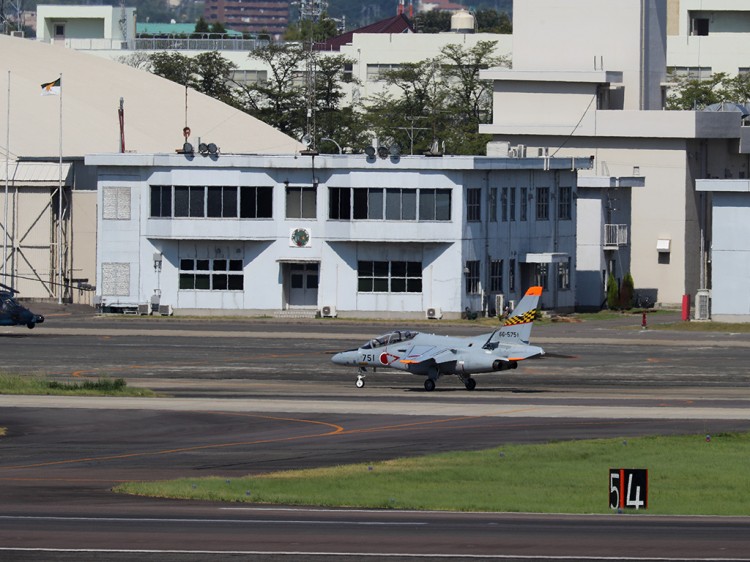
539,199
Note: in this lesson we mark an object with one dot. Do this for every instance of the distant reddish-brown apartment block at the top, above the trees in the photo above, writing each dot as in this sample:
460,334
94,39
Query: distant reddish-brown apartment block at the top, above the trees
270,16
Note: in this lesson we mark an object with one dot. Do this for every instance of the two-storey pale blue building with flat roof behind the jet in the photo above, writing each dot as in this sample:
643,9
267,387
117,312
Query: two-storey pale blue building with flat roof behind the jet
336,235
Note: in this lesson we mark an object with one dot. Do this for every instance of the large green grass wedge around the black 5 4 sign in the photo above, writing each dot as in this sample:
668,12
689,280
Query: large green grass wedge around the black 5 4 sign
688,475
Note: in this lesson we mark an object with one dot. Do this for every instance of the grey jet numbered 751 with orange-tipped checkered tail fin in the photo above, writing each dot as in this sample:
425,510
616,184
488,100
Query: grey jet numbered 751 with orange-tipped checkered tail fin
432,356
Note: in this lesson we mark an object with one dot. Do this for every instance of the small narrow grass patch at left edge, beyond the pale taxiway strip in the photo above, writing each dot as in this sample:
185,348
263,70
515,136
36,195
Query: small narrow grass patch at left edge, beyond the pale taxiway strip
105,386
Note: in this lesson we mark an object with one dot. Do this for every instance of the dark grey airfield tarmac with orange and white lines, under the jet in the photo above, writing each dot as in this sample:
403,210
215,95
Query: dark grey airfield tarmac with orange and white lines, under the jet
246,397
